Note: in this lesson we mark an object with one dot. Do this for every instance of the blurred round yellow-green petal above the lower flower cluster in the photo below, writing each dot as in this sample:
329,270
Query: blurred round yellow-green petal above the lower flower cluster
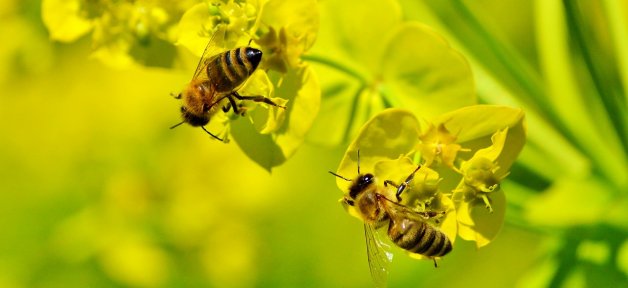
423,72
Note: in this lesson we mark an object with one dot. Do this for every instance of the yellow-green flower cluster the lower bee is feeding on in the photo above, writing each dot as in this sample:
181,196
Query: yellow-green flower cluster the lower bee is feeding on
464,155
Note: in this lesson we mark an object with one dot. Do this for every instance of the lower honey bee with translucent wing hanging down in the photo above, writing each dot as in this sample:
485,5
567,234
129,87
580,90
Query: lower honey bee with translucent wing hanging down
407,228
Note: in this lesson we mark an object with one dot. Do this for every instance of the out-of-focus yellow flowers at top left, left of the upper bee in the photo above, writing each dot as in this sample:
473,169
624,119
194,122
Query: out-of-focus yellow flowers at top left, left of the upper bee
123,32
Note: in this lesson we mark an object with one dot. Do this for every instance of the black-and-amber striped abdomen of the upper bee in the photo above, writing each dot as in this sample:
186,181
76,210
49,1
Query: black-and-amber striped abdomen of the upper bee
231,68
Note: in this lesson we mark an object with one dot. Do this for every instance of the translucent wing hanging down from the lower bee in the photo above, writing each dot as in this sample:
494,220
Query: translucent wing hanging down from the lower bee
378,257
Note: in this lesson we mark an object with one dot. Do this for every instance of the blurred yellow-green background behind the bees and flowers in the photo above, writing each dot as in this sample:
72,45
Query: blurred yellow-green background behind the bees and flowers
96,191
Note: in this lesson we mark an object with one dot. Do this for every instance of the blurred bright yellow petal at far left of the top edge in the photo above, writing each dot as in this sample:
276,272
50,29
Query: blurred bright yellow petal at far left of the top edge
63,19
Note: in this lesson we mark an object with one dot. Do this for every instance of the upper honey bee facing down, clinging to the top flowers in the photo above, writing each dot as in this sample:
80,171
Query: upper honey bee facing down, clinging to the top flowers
217,77
